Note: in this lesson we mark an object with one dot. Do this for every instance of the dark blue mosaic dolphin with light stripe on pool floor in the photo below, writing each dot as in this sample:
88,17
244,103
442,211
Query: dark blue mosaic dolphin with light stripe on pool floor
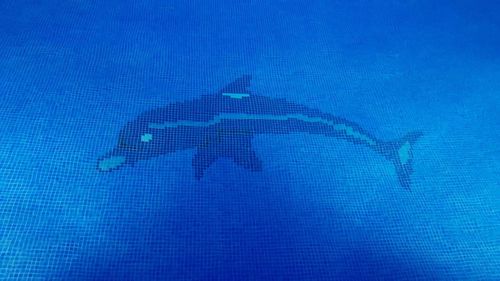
223,125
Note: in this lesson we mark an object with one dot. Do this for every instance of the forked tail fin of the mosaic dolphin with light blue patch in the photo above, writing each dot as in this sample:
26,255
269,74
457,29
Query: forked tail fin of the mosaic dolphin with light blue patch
400,153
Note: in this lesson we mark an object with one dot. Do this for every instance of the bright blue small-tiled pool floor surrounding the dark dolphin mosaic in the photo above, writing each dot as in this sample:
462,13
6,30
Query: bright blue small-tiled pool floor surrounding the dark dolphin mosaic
73,74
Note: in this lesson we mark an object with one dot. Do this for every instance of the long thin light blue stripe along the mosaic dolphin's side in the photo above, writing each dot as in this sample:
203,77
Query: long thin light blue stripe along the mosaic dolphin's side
242,116
